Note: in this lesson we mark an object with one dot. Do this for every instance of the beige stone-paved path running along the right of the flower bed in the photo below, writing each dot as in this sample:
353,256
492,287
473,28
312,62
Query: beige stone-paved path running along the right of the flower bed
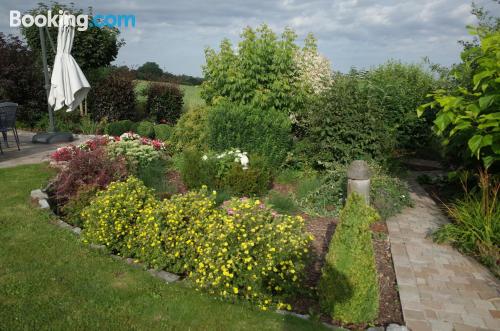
440,289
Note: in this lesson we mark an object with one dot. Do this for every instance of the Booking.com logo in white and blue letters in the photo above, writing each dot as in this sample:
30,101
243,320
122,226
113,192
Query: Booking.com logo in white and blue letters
81,21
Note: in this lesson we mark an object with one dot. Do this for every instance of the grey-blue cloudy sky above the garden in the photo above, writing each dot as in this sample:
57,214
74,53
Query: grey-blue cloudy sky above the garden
358,33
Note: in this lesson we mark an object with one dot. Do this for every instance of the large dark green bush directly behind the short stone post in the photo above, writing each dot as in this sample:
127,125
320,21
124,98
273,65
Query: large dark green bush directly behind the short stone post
348,123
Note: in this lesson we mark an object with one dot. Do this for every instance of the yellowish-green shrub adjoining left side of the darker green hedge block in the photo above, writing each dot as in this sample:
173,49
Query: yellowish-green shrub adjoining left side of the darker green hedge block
191,131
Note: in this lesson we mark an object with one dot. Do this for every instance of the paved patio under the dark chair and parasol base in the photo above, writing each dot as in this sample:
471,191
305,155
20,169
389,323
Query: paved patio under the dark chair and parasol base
30,153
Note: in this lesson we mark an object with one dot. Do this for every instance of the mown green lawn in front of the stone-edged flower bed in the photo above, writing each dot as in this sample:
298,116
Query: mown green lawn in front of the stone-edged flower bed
51,280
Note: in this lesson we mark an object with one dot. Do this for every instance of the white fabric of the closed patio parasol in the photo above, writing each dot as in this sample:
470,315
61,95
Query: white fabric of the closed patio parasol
68,83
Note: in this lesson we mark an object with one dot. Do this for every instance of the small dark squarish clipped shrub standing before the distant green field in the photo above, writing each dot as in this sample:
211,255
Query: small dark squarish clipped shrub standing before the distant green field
164,103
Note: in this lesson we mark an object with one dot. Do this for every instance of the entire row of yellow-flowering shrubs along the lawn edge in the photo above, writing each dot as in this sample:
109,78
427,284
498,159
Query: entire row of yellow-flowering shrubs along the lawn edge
240,250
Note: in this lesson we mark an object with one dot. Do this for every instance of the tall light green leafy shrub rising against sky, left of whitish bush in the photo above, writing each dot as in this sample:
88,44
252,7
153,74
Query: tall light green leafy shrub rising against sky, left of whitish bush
262,72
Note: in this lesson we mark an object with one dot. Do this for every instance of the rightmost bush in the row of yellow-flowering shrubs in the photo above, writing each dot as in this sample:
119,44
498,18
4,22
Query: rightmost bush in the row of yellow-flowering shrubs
252,252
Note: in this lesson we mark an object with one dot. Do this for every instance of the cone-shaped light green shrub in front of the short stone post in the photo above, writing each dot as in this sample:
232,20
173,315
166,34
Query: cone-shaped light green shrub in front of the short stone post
348,287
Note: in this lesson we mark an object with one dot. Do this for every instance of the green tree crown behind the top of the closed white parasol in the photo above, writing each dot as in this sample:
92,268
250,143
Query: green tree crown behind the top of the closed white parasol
93,48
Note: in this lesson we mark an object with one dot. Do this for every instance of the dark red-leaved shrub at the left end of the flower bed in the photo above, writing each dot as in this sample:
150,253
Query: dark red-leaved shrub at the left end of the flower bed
93,168
